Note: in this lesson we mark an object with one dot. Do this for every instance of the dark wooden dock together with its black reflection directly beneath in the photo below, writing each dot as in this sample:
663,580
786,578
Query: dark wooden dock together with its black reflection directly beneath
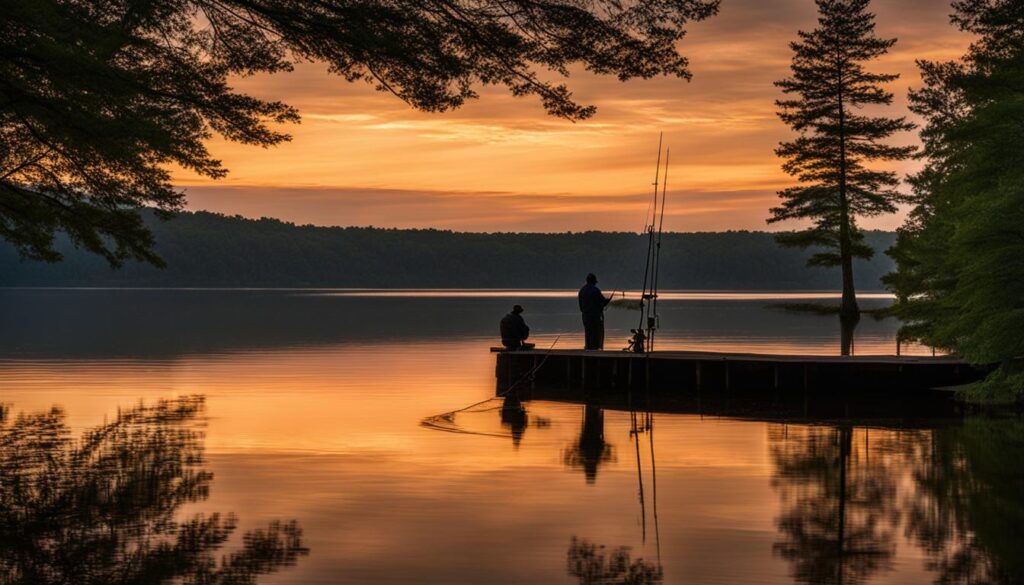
741,385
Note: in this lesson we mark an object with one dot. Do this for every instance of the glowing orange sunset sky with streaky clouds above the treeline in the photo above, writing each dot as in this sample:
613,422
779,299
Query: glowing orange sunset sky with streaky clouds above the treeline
501,164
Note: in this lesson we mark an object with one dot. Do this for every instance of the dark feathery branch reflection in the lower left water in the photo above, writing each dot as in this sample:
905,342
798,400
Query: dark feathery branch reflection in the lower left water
102,509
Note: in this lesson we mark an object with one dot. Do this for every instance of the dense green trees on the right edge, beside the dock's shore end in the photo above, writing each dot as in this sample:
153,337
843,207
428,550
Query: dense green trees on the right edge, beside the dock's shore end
960,277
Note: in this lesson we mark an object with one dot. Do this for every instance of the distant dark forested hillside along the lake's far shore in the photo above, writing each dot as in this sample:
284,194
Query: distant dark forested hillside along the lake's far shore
210,250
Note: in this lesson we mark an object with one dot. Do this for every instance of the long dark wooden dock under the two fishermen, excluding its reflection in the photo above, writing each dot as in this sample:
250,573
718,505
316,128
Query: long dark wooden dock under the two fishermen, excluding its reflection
707,374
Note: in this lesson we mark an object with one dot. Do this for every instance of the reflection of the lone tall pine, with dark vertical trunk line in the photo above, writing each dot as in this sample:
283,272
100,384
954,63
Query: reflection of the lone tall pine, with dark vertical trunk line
835,506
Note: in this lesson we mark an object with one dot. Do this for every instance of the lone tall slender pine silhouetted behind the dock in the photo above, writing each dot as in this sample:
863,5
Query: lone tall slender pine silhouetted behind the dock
835,144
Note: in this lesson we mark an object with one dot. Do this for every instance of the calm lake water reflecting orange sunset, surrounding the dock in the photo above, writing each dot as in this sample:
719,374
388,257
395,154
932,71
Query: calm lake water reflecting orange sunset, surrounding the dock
276,436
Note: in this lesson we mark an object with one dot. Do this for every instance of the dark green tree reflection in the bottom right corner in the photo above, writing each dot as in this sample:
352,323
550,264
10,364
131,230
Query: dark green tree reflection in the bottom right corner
968,513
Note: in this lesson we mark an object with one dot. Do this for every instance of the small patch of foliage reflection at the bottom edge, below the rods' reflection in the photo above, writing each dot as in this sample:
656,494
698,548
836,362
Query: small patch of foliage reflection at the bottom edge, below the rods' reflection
594,565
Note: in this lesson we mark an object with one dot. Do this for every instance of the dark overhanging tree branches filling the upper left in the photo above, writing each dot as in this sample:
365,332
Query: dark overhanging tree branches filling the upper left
99,97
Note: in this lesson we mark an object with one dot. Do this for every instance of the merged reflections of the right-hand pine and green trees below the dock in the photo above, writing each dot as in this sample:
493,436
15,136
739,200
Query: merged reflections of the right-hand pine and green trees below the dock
957,491
